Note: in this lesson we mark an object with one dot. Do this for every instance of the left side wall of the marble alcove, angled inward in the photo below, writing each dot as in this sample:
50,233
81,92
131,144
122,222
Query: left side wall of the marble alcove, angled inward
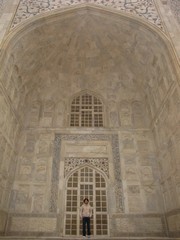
9,130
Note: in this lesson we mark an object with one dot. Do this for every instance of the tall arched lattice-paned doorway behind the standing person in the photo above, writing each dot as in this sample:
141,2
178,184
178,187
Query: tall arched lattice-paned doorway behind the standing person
86,182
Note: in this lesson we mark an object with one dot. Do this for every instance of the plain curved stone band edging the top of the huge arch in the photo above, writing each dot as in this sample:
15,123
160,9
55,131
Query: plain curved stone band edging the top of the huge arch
57,15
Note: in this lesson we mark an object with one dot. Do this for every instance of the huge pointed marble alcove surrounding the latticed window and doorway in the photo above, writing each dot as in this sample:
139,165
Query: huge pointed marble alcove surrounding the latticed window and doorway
132,65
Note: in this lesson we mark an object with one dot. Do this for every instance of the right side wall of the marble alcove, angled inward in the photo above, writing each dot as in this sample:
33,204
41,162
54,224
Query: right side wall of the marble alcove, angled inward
166,131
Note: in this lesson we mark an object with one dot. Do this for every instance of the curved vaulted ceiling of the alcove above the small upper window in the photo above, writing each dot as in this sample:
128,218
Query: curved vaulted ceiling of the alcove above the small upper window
89,48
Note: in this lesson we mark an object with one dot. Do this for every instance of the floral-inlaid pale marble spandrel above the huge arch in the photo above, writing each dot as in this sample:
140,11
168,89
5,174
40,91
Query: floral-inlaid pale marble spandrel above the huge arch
145,9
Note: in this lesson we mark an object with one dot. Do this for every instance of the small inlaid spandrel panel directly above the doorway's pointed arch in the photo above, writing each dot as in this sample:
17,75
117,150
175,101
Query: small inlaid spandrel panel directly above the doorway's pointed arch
71,163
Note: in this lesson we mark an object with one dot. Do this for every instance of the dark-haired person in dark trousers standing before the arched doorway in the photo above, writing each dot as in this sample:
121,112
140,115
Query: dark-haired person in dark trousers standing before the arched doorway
85,214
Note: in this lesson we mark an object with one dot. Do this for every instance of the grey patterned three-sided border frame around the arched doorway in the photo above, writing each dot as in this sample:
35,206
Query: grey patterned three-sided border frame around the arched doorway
113,139
